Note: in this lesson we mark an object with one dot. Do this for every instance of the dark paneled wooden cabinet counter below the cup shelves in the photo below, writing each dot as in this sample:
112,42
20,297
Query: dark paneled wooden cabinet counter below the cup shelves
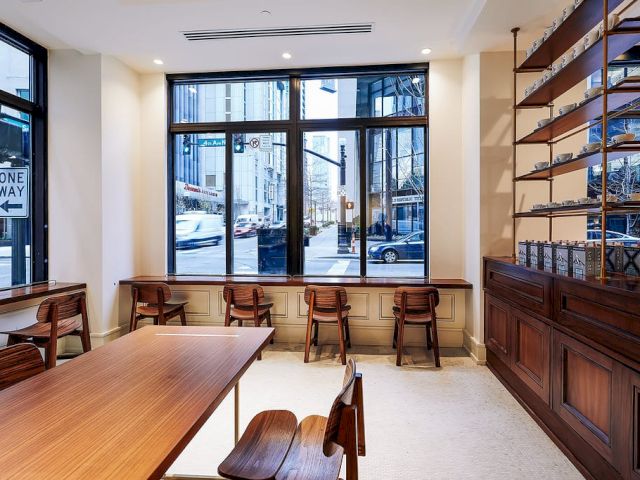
569,350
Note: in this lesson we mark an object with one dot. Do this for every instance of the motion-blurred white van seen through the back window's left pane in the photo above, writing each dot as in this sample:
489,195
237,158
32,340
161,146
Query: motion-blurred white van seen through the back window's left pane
196,229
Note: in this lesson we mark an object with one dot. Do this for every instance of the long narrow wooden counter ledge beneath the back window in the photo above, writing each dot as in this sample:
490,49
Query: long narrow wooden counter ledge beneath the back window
301,281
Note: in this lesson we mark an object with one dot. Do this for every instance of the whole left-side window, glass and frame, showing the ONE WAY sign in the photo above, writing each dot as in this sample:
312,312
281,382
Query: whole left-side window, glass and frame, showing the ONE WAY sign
22,160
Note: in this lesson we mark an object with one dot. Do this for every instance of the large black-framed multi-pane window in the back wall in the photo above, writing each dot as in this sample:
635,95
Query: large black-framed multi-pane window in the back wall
321,172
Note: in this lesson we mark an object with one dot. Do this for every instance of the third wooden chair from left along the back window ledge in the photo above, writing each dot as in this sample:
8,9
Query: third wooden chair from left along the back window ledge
327,305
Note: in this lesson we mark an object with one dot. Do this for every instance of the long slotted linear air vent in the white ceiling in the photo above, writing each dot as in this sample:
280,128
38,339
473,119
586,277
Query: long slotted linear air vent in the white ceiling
348,28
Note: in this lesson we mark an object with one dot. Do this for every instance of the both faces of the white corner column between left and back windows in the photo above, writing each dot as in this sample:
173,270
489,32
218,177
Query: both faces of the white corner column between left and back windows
94,167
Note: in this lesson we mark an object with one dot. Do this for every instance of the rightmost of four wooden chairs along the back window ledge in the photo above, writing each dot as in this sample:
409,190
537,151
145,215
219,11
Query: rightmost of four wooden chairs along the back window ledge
416,306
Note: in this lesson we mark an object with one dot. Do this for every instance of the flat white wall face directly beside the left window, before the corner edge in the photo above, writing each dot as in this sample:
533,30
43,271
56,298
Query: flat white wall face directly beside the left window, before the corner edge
75,186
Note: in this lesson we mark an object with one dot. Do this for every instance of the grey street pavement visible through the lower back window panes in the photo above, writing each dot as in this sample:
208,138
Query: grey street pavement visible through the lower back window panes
321,258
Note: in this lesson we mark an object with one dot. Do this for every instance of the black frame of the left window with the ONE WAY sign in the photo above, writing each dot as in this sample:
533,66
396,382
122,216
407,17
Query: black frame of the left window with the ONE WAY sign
37,109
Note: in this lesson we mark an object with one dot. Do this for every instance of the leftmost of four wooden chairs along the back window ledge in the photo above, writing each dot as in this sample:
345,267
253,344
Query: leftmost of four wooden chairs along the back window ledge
154,299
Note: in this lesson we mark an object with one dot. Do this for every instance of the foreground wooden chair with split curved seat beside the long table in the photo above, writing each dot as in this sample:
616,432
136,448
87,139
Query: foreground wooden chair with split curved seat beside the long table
272,448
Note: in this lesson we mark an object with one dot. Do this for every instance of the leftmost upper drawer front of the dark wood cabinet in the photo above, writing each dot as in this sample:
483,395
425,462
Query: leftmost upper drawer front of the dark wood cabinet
525,287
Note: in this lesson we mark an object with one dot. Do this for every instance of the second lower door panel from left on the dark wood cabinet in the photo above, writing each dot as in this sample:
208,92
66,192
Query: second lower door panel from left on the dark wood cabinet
531,353
